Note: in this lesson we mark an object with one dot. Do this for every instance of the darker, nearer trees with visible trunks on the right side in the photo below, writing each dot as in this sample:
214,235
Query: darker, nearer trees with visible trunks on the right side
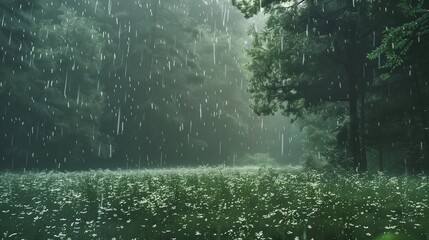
353,72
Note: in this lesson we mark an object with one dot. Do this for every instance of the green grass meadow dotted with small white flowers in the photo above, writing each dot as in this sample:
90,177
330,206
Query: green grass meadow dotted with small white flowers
212,203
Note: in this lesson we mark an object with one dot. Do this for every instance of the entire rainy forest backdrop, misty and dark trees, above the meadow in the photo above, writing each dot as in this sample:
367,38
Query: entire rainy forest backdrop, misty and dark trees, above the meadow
152,83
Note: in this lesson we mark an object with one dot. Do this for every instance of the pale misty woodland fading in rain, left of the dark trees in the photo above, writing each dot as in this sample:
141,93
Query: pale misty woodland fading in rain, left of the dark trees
128,84
